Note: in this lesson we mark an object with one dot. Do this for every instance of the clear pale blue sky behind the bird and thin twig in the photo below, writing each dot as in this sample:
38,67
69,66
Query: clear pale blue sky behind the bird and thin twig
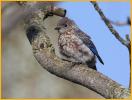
113,53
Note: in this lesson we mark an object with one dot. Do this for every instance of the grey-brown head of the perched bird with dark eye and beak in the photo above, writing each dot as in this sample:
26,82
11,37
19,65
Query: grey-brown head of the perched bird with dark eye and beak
64,24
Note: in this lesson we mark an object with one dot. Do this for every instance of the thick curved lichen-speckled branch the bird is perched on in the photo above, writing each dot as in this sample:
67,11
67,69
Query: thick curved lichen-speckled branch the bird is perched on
44,52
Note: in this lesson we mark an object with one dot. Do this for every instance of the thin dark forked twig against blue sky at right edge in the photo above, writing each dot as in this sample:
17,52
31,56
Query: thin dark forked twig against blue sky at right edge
126,43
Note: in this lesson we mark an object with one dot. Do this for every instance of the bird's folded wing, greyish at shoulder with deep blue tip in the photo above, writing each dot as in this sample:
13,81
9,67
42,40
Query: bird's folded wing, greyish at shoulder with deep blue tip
87,41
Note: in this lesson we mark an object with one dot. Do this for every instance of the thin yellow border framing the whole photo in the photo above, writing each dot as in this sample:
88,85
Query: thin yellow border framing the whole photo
130,98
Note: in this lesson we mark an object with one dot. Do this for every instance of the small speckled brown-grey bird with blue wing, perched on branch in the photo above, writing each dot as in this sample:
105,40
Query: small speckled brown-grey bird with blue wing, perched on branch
75,45
